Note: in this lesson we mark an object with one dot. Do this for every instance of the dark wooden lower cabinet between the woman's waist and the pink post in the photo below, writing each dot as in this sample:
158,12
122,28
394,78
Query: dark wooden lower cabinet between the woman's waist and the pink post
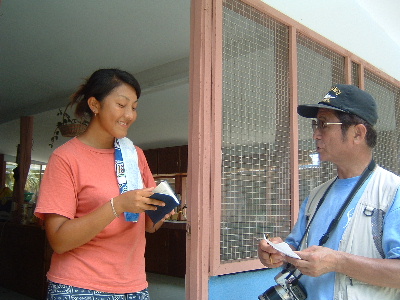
166,250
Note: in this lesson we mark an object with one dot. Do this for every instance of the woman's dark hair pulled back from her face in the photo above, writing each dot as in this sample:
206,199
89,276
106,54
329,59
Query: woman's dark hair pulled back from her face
99,85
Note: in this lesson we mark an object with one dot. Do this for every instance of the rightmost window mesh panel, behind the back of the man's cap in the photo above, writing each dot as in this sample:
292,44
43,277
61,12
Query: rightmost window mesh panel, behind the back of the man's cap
387,96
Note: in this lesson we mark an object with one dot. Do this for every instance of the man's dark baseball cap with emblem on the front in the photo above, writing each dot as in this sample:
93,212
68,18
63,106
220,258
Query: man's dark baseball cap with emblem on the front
346,98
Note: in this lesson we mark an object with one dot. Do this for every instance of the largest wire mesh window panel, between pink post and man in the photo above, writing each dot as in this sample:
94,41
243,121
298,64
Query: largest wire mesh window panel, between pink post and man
255,142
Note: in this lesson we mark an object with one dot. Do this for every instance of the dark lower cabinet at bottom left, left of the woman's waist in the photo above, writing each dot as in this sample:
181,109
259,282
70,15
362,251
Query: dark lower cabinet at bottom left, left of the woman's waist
24,259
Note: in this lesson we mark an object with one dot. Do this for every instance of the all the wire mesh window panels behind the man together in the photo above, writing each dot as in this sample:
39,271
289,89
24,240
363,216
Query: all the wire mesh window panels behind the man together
256,171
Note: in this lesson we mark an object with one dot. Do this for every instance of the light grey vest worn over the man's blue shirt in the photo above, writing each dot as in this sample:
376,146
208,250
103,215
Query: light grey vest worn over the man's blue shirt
363,235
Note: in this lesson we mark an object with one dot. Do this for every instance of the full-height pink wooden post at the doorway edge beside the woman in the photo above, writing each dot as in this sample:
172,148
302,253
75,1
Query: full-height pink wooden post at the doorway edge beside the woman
199,149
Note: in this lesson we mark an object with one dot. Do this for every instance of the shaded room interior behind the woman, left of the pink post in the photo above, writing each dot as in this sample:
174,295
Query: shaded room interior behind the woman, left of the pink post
47,50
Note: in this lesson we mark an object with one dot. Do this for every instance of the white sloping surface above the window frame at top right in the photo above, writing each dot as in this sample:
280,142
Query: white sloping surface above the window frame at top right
368,28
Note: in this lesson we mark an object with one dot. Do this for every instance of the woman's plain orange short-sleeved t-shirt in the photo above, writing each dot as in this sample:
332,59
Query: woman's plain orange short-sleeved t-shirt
77,180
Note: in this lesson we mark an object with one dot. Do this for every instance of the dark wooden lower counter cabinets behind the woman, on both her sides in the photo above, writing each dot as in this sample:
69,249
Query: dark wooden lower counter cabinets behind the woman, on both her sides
25,256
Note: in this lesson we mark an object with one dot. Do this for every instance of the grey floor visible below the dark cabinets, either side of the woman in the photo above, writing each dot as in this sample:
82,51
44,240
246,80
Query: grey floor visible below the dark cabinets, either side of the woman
161,287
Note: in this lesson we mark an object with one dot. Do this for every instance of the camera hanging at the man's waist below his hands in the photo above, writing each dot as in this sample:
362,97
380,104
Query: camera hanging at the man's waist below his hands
288,286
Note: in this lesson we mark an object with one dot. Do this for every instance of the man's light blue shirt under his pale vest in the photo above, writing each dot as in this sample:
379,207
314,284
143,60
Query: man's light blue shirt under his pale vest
322,287
